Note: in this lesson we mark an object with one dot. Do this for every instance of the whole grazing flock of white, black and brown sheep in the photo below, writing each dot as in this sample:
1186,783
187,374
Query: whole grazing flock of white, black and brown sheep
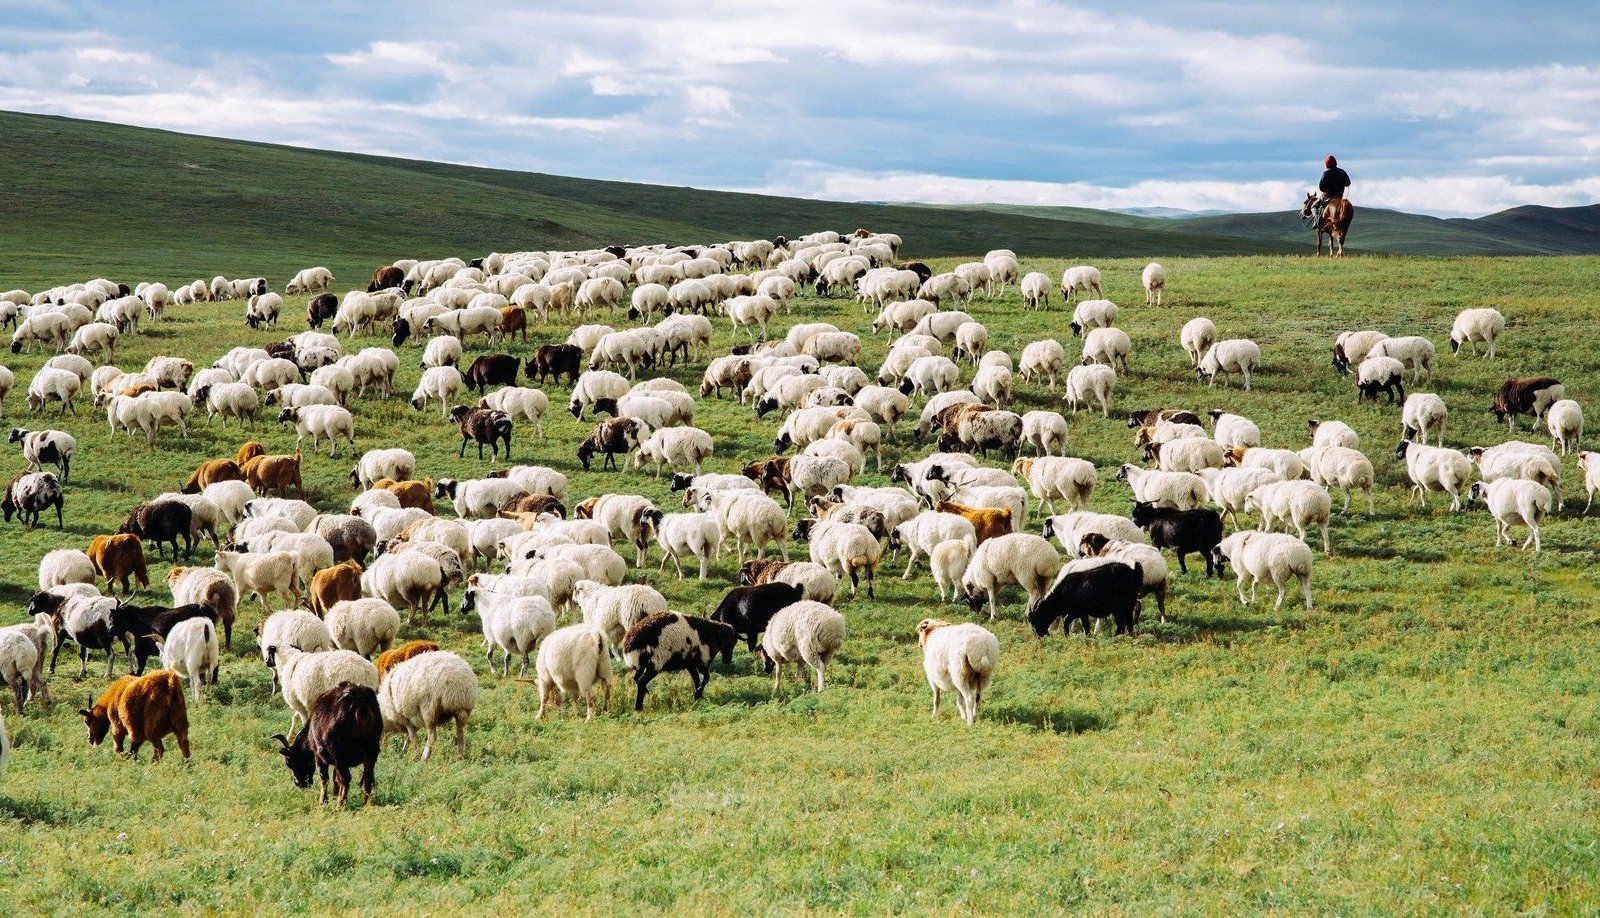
524,553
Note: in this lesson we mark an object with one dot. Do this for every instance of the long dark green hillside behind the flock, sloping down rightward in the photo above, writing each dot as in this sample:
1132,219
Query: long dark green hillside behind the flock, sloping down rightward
89,198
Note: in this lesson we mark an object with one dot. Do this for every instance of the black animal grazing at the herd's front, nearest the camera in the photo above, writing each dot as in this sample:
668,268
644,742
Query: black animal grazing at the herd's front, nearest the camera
346,728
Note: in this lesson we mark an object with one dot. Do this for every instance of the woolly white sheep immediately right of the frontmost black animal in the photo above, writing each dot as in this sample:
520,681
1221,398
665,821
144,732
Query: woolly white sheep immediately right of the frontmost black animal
428,692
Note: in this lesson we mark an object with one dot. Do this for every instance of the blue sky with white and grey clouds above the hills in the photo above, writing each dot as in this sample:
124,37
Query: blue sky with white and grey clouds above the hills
1454,110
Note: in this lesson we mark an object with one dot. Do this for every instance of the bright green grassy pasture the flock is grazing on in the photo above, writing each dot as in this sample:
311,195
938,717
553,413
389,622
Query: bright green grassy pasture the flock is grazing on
1423,741
